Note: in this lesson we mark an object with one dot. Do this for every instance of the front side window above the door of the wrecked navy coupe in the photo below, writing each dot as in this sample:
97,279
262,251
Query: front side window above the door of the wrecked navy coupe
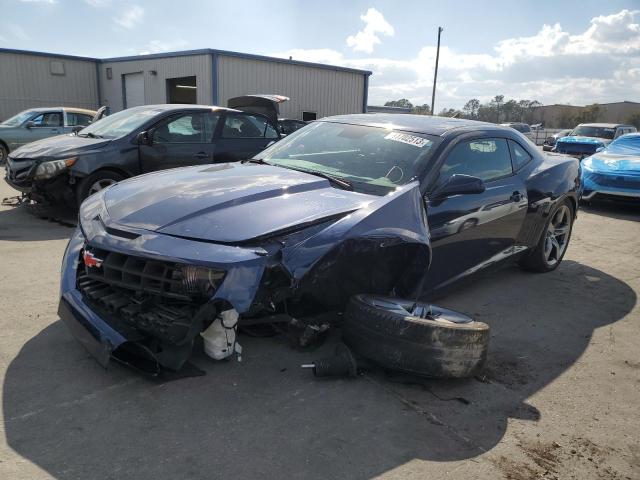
487,159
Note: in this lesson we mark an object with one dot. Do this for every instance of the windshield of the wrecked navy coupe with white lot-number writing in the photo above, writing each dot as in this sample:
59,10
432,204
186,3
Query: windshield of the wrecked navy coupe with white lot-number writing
371,159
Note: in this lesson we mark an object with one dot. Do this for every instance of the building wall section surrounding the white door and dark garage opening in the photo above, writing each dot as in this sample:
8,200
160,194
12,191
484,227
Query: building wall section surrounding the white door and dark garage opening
155,86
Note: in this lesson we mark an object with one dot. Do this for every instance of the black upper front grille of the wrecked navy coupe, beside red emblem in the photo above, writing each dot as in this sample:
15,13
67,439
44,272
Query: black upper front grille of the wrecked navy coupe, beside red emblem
164,279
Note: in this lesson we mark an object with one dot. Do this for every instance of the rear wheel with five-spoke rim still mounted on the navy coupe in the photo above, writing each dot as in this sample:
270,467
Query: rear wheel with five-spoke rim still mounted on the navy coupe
554,241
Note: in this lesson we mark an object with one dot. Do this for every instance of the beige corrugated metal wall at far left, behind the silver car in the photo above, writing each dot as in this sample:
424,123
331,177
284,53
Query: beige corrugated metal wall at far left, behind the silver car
26,82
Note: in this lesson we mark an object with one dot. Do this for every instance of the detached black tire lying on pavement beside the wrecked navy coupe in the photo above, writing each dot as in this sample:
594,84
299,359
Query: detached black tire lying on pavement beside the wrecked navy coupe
411,344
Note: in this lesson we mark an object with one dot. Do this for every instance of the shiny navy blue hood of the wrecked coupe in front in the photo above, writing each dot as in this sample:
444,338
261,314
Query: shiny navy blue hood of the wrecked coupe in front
227,203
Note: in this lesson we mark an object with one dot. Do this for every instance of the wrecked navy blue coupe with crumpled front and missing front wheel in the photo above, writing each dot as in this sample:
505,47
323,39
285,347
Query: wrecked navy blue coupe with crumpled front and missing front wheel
398,205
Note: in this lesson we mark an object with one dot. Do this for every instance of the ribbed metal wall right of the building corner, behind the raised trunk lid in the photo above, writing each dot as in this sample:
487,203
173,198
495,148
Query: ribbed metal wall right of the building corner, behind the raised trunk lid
324,91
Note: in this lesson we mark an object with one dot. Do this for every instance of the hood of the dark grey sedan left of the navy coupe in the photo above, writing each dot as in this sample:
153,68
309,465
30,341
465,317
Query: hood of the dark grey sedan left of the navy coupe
58,146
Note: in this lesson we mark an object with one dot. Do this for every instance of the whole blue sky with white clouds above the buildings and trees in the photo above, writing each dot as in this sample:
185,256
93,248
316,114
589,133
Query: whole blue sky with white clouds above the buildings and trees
570,52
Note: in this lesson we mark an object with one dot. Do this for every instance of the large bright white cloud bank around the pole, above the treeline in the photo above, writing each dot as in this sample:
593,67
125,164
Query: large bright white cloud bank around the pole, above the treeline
601,64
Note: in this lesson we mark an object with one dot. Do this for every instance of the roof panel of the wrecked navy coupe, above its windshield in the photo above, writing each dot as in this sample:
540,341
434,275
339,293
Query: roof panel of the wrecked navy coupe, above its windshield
427,124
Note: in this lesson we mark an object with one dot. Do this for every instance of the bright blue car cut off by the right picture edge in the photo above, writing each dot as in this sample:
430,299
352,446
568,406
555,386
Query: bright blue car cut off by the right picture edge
613,171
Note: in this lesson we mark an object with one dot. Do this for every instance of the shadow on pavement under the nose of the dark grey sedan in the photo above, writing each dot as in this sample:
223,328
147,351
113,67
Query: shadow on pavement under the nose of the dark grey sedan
20,224
